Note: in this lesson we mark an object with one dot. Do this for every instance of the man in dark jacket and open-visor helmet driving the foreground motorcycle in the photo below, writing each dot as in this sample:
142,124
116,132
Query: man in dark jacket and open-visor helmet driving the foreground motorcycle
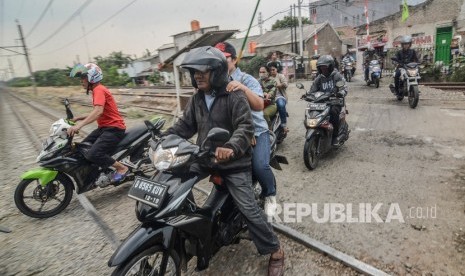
212,106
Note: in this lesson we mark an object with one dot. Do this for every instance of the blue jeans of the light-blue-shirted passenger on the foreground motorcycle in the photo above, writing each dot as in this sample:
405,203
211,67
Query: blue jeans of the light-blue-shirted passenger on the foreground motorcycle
261,165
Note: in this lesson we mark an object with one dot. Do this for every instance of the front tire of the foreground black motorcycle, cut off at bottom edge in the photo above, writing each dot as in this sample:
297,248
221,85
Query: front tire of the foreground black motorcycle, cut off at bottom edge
142,264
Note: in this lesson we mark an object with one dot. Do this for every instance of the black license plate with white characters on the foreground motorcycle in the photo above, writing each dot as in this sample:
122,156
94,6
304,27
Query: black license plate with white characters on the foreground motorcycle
147,191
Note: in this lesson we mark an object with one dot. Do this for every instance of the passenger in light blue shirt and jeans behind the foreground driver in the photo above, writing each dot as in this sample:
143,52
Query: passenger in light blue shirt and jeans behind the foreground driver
261,145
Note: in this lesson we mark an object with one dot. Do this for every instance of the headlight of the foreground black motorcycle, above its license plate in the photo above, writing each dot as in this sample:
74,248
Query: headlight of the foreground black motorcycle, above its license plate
164,159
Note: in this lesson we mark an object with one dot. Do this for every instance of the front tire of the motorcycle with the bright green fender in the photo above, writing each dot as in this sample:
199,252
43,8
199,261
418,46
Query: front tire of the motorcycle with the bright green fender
42,195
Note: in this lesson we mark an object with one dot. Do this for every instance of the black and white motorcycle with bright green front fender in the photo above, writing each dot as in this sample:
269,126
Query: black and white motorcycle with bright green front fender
46,191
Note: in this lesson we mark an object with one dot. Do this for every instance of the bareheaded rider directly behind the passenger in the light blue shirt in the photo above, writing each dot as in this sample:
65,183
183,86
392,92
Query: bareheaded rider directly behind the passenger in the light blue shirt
268,85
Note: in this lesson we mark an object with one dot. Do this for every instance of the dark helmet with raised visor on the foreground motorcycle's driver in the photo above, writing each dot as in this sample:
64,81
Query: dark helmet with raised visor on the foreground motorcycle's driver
204,59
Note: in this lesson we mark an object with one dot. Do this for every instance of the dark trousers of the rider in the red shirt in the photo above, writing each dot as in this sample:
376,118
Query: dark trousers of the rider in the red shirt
104,141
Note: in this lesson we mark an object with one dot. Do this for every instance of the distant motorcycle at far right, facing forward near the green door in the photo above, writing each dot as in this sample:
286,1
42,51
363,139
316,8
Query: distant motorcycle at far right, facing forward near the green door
408,83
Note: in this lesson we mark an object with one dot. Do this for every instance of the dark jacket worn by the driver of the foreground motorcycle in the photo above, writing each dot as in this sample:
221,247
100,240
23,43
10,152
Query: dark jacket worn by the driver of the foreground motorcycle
229,111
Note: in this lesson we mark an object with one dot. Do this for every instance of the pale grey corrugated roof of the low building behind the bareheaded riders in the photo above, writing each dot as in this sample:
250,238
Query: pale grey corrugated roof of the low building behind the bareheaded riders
283,36
